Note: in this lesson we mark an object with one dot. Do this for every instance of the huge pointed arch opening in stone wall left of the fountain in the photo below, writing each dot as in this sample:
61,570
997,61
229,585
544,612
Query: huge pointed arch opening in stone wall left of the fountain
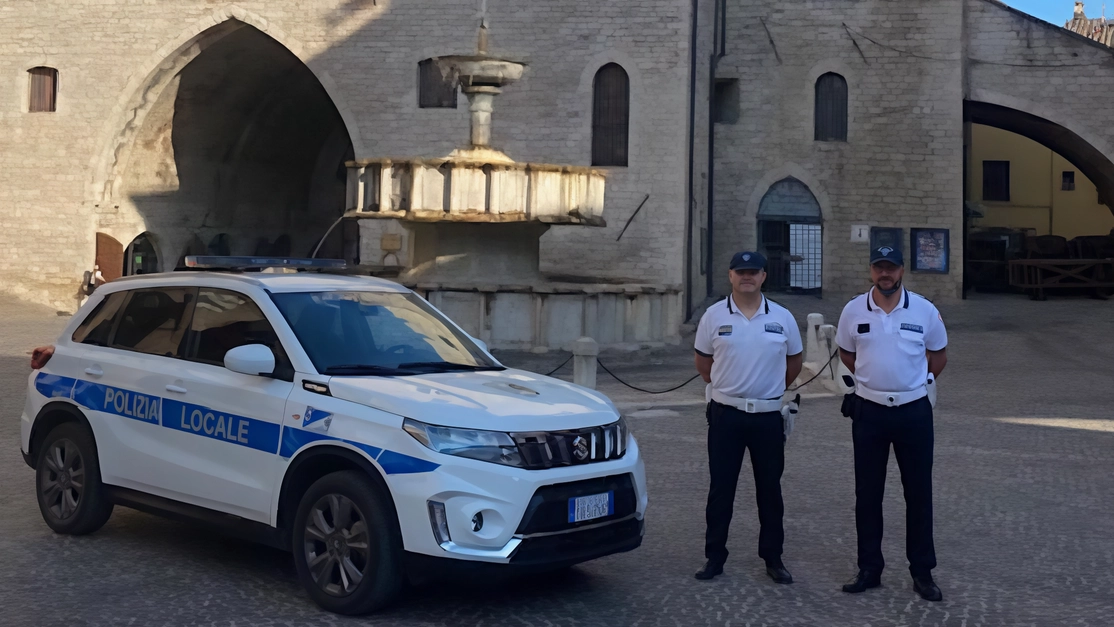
243,150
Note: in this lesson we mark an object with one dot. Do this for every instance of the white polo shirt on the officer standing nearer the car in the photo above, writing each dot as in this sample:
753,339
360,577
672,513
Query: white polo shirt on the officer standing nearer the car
749,355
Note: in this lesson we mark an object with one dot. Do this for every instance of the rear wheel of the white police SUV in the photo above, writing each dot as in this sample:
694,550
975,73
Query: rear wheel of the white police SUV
67,482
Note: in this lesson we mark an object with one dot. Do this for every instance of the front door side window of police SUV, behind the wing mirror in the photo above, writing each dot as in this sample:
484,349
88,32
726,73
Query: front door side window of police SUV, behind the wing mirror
224,320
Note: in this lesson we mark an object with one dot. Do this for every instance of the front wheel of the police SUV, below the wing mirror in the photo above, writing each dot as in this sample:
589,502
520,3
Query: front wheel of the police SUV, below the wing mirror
347,546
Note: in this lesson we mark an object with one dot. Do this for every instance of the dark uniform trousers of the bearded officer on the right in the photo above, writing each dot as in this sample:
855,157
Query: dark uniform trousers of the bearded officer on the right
910,429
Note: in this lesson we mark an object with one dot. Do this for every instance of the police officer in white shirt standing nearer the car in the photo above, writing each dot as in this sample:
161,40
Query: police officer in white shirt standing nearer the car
749,350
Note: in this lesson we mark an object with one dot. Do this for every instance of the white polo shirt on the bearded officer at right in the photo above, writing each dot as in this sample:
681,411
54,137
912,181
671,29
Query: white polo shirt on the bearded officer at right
891,348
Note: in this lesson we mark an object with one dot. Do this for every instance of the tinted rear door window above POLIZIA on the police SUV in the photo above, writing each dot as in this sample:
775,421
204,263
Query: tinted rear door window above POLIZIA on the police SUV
155,321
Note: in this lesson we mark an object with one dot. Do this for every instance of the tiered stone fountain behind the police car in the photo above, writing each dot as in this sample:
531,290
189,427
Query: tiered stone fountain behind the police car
465,232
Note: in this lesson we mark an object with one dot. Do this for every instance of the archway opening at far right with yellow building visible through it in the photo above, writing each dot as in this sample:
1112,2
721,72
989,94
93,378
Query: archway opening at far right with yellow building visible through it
1034,190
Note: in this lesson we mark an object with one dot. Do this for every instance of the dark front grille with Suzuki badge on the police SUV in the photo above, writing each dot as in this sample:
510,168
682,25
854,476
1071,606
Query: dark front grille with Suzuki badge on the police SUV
572,448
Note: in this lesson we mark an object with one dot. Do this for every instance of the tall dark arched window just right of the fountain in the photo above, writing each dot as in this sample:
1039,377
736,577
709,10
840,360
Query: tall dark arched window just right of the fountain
611,116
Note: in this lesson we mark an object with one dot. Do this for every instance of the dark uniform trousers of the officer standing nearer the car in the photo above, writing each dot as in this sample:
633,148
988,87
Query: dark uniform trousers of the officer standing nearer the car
730,434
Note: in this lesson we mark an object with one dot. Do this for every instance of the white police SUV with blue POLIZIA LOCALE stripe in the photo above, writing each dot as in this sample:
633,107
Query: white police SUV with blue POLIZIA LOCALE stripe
341,418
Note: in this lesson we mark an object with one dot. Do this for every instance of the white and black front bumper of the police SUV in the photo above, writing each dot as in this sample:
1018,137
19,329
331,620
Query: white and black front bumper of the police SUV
525,513
